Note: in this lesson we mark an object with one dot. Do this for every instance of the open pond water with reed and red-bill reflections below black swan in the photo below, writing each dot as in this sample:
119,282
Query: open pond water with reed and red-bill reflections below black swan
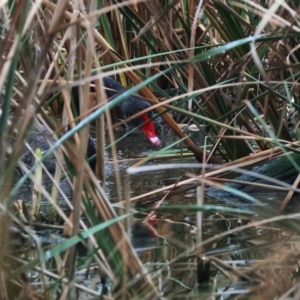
166,243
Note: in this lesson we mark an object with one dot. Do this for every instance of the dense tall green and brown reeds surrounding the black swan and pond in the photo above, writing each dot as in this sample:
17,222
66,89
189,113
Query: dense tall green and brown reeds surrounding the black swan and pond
234,66
